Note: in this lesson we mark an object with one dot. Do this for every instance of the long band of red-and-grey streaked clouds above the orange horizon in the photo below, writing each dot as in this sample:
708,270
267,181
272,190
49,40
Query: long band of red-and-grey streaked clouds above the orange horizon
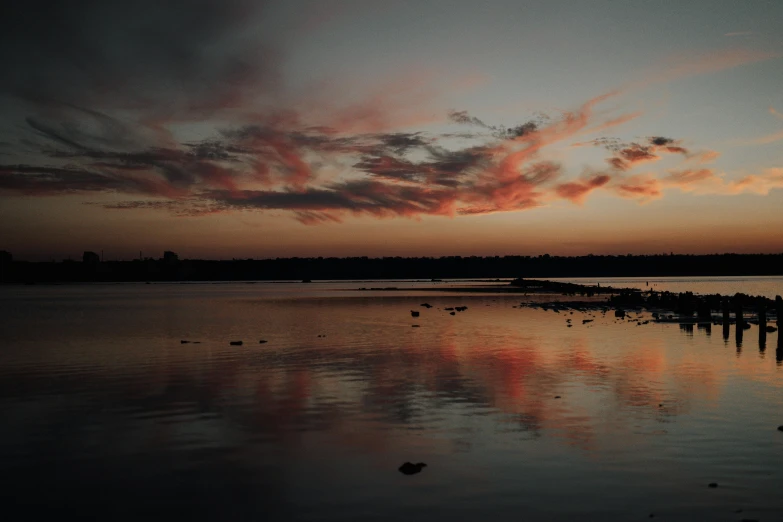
279,164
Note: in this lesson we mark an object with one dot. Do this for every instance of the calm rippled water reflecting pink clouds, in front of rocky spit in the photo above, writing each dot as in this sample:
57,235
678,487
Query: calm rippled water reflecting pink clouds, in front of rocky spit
107,415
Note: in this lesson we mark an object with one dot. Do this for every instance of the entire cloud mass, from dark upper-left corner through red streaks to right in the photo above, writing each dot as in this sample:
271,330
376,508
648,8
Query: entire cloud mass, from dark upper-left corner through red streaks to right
106,89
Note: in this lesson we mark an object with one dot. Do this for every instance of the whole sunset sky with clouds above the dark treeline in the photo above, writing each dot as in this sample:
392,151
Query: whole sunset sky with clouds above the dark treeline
236,128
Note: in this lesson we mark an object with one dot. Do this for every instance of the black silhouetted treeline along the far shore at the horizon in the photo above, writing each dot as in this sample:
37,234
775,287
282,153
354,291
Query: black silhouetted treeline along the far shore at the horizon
173,269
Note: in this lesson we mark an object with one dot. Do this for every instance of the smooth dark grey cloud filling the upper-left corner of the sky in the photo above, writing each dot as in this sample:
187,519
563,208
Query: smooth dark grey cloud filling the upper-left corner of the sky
178,56
